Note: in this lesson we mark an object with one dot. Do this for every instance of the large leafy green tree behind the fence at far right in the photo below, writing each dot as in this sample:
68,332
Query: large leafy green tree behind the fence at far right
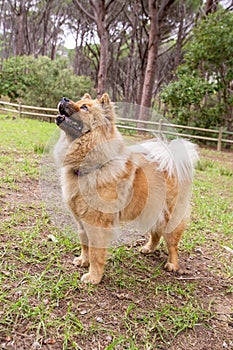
200,95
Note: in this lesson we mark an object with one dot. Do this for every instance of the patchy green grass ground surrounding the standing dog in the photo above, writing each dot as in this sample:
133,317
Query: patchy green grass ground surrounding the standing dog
138,305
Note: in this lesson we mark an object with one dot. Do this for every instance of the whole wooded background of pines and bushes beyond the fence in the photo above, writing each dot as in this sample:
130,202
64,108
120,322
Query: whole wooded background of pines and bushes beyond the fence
173,55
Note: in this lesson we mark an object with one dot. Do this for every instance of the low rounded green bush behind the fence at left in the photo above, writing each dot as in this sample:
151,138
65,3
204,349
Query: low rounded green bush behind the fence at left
40,81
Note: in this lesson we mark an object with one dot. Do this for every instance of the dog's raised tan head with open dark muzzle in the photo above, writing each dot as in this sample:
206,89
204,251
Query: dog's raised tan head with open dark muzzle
79,118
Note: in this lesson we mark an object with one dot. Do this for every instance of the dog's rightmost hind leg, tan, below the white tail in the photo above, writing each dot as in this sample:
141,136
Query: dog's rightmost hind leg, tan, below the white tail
172,239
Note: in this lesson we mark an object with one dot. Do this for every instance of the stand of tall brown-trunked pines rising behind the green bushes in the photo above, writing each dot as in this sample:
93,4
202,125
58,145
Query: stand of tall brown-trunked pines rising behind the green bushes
128,47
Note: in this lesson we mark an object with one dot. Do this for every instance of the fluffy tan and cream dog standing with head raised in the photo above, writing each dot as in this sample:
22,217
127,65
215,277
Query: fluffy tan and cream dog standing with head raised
106,183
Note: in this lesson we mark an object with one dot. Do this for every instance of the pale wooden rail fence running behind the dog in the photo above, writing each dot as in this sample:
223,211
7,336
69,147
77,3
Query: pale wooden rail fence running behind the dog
218,135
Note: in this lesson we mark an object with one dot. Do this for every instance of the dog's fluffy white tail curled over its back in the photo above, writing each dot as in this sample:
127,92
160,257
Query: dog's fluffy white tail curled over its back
178,156
